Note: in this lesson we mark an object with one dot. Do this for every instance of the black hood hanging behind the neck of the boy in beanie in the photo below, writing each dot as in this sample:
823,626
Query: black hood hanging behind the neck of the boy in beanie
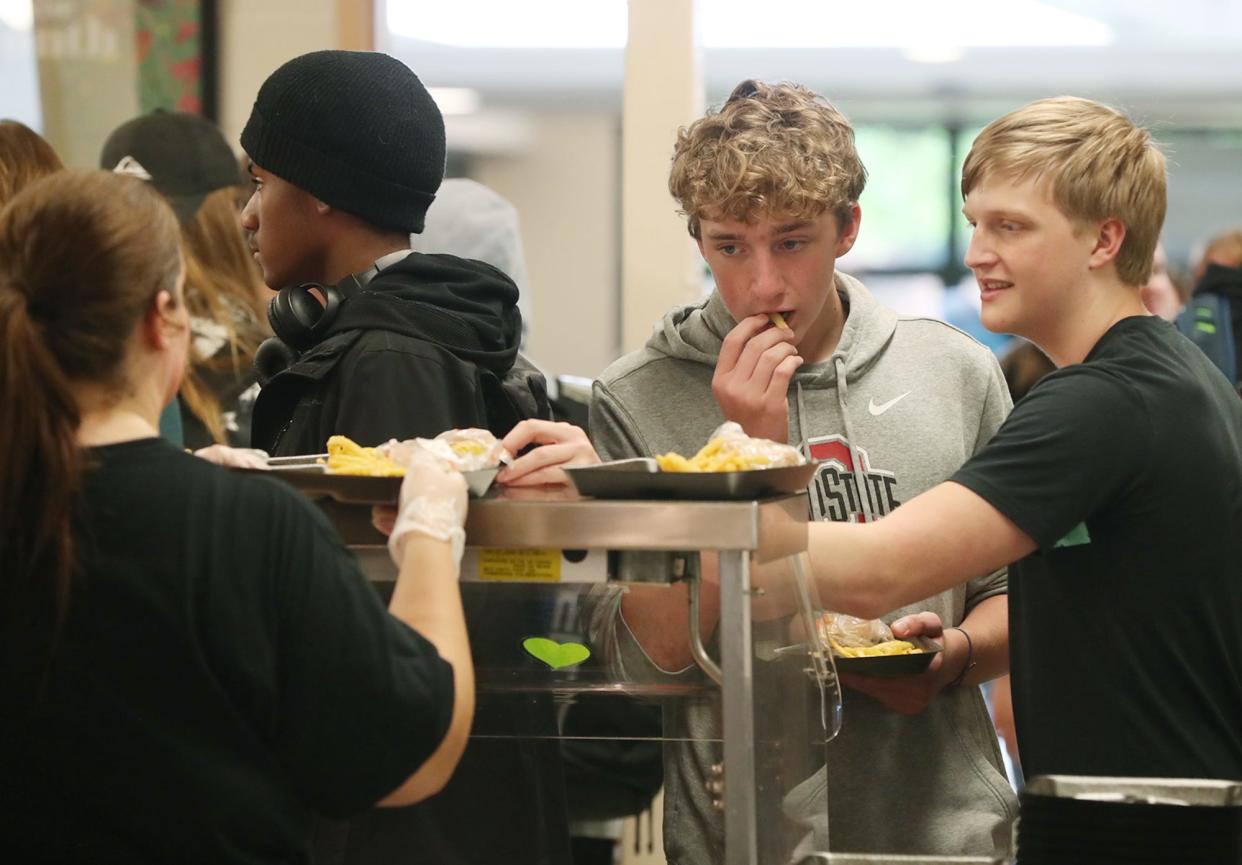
466,306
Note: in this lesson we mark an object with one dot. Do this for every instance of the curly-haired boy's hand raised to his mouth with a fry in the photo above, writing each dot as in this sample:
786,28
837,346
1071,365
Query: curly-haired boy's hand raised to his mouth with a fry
758,361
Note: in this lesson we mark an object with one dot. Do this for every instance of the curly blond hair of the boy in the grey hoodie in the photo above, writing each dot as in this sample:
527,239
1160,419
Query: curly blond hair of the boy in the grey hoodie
771,149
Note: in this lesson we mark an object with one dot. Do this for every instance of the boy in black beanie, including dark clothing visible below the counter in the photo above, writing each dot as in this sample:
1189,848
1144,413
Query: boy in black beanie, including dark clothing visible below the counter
348,152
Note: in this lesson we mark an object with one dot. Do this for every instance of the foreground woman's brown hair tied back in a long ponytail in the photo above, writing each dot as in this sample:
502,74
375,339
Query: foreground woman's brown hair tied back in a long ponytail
83,258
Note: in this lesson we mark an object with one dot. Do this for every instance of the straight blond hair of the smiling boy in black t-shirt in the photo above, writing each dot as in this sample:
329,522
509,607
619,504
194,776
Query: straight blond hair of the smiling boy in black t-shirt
1099,165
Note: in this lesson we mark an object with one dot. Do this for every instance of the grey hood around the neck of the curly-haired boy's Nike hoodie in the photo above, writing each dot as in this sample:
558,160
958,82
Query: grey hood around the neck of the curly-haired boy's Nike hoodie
697,332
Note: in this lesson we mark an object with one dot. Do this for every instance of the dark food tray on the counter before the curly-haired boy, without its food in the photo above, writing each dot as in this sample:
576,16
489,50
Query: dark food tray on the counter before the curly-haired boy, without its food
641,479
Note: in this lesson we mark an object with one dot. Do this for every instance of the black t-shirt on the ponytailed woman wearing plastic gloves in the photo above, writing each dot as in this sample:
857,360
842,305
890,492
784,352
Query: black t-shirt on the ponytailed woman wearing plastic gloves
225,672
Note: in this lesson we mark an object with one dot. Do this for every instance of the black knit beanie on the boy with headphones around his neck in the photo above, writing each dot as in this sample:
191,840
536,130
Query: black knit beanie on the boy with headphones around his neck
357,130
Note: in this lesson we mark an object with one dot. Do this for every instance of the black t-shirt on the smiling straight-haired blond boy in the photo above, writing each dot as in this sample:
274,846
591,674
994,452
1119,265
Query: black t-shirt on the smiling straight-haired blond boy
1126,626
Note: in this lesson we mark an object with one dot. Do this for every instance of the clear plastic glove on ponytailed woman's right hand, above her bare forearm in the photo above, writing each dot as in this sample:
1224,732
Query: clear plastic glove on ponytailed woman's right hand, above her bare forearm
433,504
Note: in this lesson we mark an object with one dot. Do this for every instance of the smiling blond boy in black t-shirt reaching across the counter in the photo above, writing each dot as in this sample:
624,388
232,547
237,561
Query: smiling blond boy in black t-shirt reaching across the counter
1115,488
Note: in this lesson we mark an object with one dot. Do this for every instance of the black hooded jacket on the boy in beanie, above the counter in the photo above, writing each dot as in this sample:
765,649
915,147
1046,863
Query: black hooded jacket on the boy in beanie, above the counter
429,345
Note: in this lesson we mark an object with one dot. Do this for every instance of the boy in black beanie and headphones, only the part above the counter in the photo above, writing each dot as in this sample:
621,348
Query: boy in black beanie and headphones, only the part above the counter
376,341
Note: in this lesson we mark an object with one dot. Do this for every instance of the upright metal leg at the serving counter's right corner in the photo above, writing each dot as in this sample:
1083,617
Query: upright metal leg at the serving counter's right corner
741,847
